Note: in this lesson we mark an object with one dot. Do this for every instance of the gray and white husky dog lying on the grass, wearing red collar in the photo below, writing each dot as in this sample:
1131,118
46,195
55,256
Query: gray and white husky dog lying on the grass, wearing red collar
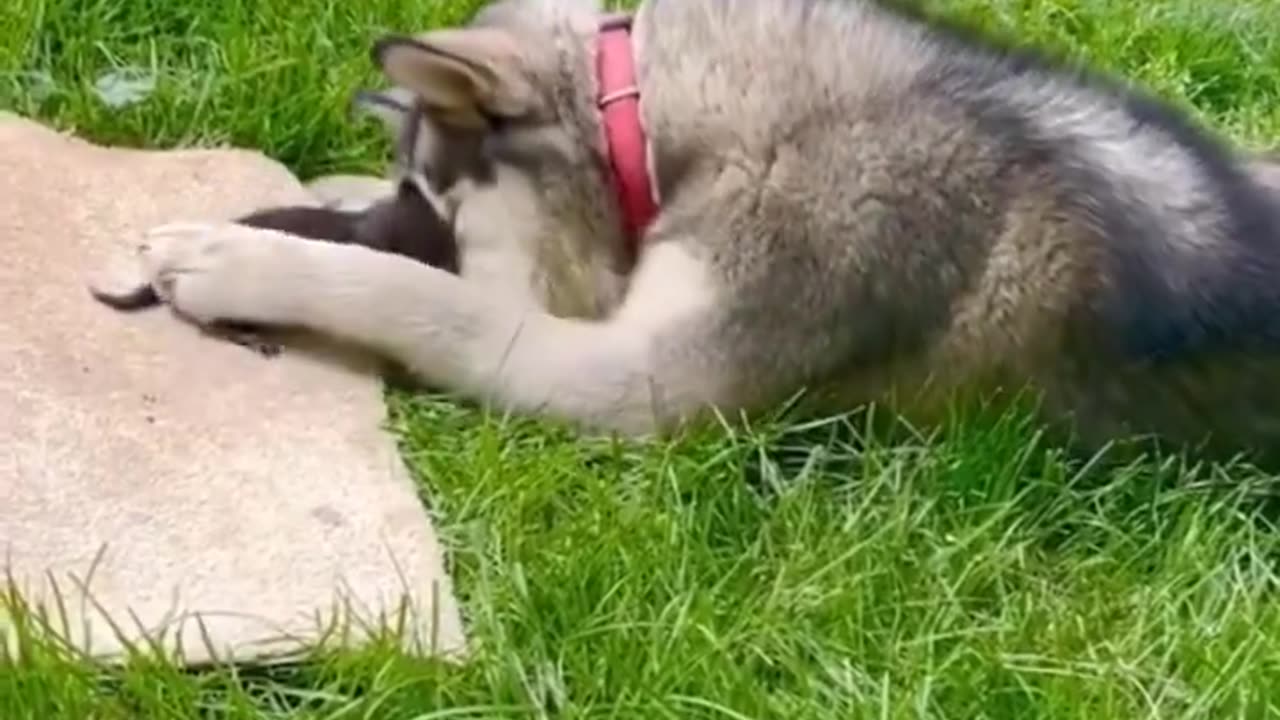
848,202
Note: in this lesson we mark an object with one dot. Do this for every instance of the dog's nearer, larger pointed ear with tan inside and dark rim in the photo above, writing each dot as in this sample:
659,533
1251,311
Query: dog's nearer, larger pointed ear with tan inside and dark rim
463,76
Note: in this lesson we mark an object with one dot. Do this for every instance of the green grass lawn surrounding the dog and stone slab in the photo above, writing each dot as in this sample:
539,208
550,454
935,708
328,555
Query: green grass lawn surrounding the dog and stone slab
774,572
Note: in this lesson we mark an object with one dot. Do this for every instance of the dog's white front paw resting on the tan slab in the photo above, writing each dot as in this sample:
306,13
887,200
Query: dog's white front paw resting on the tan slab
221,272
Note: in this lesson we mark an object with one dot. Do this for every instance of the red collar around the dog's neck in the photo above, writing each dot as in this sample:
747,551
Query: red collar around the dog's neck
624,135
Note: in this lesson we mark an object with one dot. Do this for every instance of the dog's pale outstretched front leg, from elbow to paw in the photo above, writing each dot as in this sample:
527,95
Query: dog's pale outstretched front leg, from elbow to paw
624,375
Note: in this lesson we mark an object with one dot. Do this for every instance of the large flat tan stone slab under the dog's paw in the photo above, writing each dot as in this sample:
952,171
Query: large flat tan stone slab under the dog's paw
156,475
